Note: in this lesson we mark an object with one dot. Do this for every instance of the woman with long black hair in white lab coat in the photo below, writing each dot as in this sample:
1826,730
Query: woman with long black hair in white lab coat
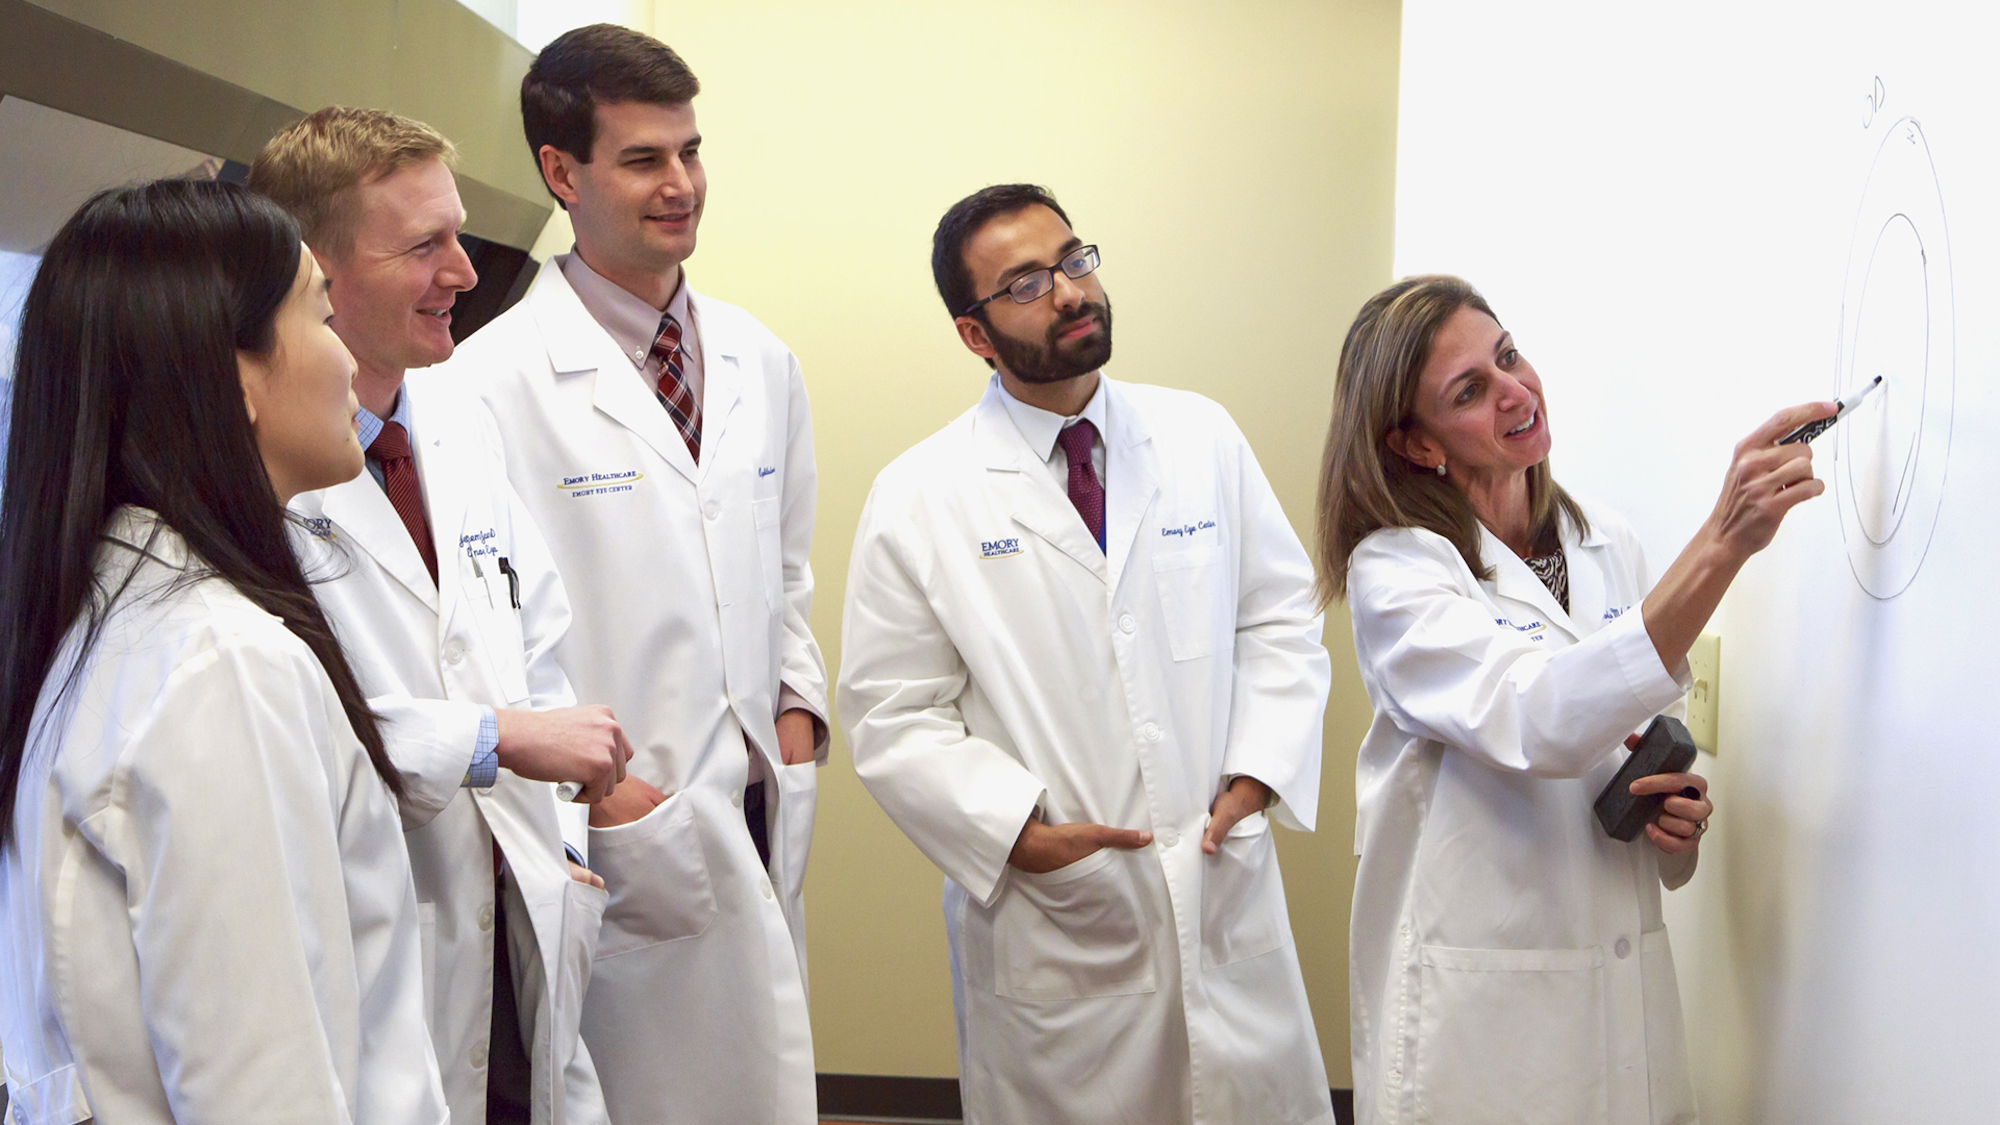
205,898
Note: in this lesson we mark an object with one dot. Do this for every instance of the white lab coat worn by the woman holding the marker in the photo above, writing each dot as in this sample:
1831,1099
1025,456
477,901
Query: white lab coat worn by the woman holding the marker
1509,958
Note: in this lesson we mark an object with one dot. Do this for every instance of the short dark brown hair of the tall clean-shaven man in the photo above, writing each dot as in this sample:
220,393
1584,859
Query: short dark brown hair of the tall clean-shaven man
603,63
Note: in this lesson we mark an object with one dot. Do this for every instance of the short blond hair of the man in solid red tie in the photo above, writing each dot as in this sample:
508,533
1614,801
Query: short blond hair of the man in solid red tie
313,167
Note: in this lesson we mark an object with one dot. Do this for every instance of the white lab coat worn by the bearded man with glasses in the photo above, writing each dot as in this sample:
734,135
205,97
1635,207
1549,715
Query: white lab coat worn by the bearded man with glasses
997,662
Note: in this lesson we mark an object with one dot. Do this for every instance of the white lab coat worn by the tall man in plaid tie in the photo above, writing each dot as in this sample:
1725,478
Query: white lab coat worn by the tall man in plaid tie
691,590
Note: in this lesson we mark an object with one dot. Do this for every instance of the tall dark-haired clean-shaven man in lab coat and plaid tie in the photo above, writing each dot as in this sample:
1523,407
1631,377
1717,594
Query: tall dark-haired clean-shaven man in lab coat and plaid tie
665,445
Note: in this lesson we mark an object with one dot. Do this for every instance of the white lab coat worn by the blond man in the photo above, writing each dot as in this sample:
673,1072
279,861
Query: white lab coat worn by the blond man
429,656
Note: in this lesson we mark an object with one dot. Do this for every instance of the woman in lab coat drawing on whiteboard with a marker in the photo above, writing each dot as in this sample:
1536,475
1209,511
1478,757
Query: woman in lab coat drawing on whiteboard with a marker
1509,958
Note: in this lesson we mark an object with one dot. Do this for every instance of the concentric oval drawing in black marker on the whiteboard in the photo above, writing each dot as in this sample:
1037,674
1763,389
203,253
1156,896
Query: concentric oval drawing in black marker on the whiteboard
1897,323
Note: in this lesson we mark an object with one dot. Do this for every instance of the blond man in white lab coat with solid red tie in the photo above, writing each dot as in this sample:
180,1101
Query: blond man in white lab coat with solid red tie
445,596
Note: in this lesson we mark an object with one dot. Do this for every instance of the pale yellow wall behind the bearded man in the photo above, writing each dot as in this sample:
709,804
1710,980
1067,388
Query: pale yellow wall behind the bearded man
1237,165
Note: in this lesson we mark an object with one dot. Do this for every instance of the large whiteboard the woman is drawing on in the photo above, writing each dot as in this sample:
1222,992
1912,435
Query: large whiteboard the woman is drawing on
1691,217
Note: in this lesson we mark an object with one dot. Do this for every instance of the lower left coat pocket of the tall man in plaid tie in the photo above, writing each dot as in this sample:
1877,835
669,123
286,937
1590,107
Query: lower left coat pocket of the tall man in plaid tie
657,876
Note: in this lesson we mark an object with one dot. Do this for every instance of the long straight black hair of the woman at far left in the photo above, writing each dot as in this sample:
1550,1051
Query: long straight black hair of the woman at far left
127,391
